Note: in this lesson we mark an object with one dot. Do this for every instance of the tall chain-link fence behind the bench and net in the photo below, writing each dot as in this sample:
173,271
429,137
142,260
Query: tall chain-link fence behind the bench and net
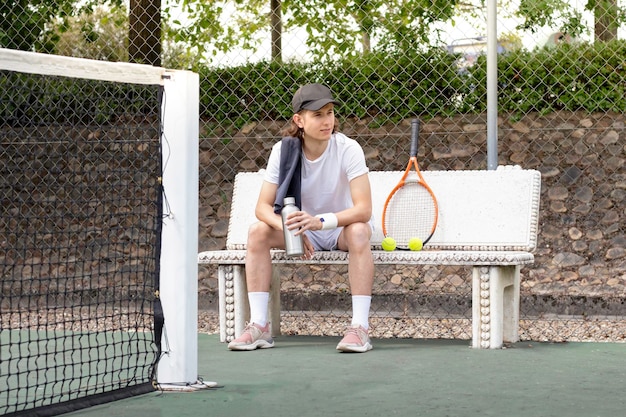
561,105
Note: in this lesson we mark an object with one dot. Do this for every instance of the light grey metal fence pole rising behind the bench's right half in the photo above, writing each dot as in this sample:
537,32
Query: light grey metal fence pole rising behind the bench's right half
492,85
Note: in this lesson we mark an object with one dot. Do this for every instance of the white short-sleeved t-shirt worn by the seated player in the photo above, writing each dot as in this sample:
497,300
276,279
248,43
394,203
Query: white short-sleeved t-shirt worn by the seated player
326,180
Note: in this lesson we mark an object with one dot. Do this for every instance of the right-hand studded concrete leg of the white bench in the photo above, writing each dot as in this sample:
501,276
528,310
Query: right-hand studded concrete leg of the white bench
495,306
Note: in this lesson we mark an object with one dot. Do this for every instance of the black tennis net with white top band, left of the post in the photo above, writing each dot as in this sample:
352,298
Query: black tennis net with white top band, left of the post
80,231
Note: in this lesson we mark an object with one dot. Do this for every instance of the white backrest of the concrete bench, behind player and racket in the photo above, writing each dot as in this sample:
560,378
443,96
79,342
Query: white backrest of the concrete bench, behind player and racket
478,210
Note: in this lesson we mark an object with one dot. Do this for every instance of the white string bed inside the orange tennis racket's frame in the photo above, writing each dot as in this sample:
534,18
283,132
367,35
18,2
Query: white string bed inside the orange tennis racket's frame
411,212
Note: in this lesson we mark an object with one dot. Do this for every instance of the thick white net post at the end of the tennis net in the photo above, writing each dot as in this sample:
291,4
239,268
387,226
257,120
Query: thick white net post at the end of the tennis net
178,366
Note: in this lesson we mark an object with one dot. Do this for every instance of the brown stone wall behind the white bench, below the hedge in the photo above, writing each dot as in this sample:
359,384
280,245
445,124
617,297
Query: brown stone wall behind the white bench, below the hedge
581,246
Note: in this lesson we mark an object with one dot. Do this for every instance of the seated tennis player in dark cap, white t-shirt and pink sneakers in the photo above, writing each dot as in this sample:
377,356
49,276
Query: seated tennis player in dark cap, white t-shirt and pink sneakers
327,174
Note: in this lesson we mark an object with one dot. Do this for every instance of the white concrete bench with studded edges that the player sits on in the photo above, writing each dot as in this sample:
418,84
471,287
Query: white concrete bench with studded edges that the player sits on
487,220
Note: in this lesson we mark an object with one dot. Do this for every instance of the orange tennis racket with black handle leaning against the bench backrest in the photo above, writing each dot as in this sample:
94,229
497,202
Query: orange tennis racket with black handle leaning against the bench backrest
411,209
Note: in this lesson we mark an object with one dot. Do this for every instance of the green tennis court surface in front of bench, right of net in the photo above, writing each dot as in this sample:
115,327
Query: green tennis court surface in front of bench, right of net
306,376
